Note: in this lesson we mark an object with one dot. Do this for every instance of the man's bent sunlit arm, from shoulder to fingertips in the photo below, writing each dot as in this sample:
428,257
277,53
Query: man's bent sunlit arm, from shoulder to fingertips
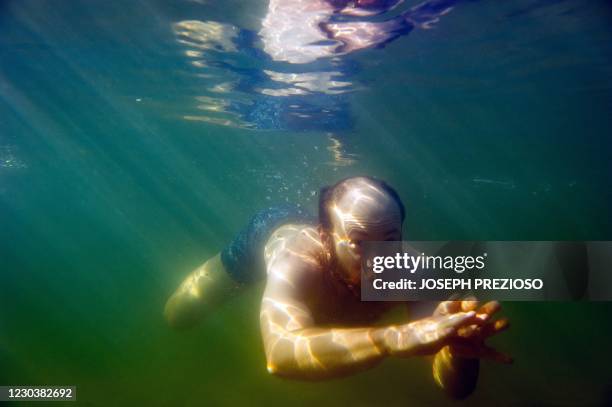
295,347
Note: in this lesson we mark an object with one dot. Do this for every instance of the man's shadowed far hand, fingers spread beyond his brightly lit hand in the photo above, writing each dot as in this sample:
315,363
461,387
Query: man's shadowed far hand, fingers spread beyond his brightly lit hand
469,341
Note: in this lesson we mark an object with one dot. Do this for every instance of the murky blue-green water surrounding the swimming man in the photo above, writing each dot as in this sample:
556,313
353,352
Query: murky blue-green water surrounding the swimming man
495,125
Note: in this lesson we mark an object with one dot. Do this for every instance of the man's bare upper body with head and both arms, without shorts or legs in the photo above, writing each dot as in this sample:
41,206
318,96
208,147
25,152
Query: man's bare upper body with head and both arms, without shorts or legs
310,307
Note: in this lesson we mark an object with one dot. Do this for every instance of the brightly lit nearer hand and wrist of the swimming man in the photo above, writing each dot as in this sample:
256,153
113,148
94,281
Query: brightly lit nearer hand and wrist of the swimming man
427,336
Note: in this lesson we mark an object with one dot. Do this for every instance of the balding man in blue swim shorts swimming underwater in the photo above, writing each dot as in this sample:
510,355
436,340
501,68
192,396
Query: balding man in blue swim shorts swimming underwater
313,323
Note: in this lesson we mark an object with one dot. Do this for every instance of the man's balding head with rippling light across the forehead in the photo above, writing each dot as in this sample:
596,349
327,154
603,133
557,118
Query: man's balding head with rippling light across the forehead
363,213
